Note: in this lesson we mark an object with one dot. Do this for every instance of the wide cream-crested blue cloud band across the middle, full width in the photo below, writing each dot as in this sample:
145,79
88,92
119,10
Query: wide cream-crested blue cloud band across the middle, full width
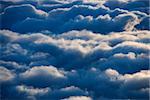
86,48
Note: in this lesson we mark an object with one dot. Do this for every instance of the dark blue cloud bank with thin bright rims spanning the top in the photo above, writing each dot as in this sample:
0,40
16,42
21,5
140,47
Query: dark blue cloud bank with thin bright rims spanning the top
65,17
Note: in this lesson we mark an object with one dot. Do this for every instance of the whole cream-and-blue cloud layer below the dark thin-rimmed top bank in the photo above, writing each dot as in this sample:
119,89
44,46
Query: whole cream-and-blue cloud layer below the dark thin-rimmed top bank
35,64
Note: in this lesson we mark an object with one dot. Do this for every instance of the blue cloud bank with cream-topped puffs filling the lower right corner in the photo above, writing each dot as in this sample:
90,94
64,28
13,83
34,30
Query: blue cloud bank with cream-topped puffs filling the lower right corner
111,82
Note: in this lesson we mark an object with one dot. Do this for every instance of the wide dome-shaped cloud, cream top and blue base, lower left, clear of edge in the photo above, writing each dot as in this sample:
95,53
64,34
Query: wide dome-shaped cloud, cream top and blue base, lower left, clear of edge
42,76
